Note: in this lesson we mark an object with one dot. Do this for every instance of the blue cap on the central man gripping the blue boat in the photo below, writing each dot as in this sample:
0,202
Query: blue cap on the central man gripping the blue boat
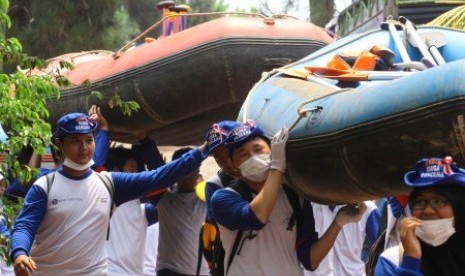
243,133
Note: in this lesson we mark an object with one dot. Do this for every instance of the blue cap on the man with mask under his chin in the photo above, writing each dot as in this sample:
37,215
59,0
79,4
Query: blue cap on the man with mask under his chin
74,123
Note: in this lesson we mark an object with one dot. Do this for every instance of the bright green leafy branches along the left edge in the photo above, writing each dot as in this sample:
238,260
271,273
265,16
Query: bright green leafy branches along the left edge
23,112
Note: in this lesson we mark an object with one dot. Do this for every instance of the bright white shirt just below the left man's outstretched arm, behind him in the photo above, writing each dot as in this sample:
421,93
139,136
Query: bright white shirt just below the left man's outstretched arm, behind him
126,244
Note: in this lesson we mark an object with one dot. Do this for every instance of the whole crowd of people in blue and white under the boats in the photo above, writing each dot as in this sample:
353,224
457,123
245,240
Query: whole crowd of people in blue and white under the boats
120,211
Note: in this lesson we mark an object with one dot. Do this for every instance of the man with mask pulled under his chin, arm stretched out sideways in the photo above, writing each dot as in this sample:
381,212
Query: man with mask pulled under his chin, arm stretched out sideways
68,221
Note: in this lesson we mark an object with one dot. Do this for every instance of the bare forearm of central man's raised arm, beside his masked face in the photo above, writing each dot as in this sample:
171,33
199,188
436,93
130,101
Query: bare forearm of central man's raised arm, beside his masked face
263,203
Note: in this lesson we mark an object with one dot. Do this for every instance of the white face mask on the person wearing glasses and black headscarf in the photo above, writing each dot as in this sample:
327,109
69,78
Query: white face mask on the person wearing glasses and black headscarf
435,232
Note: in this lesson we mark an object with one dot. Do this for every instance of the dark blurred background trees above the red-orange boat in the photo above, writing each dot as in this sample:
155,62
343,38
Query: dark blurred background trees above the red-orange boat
50,28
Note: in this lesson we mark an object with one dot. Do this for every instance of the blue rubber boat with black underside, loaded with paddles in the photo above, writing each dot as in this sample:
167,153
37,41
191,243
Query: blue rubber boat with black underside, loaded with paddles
354,133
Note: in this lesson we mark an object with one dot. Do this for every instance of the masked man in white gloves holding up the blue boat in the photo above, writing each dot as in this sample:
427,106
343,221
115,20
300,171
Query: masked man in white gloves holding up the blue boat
266,229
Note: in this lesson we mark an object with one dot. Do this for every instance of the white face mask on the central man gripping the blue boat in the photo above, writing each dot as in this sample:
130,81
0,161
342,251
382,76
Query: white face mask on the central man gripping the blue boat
256,168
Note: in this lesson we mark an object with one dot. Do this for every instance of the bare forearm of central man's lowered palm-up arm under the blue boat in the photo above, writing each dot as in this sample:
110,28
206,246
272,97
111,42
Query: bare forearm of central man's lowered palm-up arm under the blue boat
323,245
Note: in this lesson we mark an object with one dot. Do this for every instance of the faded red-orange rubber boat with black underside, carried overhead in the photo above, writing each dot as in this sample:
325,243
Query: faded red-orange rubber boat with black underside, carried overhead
188,80
